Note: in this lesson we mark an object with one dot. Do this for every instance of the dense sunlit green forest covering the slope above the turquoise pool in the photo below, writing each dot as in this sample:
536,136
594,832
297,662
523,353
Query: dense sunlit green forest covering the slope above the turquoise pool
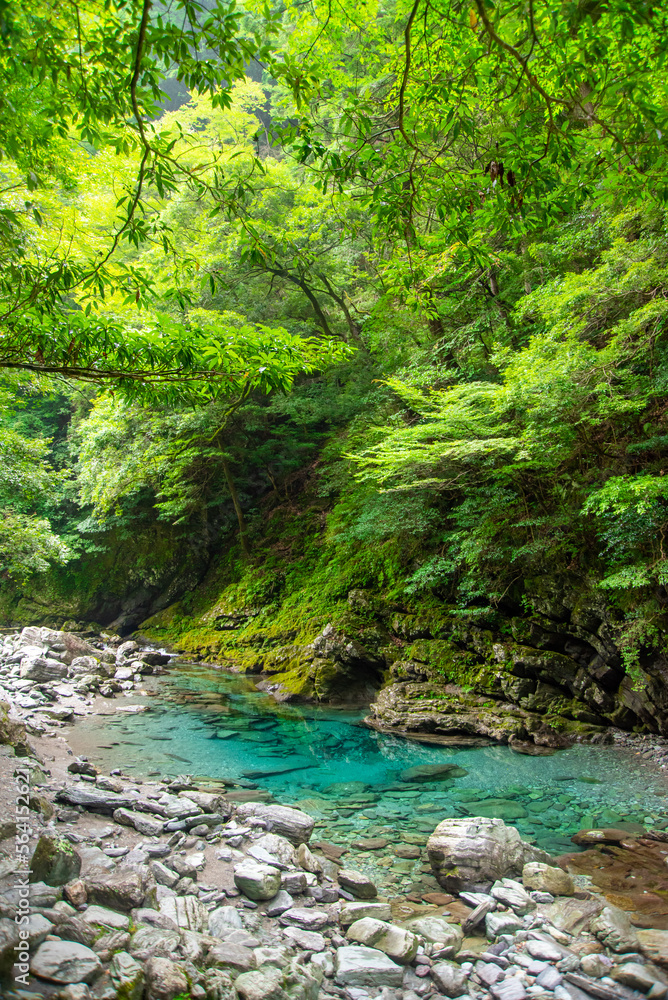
348,314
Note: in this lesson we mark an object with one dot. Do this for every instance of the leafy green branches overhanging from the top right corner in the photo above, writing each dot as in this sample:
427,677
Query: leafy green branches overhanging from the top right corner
465,128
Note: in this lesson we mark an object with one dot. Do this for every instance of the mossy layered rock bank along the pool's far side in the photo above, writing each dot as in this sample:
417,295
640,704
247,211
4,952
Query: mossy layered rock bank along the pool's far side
545,672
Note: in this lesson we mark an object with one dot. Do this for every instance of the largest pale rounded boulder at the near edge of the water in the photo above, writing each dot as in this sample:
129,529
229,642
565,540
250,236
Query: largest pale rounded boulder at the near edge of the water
474,852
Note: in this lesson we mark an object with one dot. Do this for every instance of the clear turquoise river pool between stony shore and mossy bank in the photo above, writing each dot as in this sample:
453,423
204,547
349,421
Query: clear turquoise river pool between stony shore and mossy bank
207,722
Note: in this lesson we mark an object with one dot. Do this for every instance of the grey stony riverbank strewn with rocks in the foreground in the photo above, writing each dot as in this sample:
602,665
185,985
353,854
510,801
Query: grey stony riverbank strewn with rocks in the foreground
175,888
